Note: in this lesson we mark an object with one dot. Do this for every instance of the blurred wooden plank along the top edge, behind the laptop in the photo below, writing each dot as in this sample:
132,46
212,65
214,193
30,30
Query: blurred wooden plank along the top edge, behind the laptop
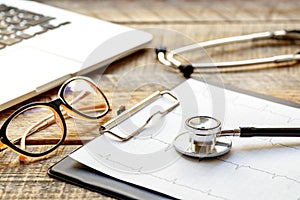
185,11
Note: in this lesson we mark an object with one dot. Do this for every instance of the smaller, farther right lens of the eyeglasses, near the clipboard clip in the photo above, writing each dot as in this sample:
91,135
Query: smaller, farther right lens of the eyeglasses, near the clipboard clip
85,97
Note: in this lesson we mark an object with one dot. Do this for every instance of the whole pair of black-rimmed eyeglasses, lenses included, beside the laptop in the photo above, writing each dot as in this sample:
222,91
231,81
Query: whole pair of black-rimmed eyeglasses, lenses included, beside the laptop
44,123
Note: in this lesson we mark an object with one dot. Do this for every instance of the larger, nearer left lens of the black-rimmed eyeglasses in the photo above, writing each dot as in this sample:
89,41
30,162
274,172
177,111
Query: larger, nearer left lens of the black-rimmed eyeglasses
42,126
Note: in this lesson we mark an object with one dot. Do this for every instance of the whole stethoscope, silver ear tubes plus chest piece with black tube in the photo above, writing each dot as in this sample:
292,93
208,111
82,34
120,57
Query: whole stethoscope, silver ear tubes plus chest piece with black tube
204,137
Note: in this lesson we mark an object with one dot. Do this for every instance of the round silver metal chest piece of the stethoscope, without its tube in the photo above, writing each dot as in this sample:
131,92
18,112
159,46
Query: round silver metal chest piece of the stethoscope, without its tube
201,139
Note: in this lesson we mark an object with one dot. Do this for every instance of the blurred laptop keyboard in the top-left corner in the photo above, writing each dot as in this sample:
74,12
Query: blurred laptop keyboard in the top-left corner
17,25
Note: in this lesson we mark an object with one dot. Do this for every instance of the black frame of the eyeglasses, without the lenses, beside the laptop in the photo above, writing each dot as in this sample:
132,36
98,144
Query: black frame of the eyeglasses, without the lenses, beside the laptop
54,105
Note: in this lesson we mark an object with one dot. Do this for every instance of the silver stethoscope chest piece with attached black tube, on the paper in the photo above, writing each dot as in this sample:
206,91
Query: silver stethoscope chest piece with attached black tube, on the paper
205,138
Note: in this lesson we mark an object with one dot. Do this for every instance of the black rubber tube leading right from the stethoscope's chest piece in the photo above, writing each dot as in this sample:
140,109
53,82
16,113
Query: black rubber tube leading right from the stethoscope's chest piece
269,132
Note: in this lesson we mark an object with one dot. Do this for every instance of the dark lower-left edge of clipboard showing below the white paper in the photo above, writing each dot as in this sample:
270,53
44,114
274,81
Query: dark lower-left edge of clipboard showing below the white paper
71,171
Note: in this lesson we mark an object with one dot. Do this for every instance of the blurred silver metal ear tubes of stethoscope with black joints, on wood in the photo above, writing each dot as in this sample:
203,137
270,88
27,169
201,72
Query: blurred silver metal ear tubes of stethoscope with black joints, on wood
167,57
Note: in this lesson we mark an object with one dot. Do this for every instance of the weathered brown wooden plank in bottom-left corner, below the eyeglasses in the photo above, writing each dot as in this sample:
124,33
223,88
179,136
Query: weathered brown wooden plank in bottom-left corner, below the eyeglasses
29,180
